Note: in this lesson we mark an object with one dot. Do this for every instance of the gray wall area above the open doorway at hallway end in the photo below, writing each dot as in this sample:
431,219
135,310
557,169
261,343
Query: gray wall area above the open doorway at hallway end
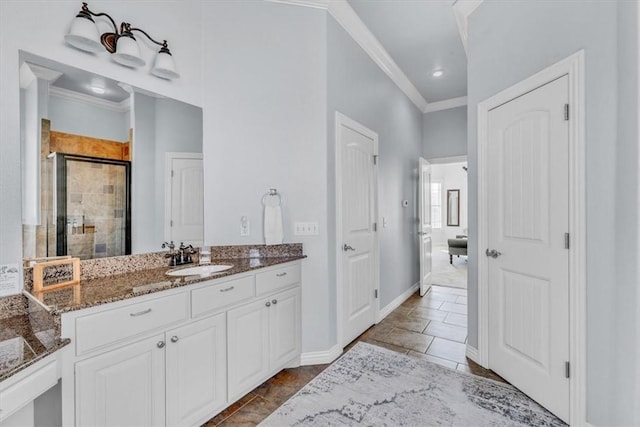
444,133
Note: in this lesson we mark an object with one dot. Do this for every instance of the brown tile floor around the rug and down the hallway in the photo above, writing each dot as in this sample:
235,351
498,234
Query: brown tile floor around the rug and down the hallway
433,327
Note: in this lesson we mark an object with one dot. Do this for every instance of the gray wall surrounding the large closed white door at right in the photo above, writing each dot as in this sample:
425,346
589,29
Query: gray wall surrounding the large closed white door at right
509,41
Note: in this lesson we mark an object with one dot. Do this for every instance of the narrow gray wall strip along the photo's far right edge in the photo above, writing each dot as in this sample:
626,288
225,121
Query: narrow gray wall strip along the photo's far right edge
627,194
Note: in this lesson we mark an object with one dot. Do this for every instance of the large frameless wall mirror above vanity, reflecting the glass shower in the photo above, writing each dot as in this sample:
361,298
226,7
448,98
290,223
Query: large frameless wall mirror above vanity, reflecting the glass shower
108,169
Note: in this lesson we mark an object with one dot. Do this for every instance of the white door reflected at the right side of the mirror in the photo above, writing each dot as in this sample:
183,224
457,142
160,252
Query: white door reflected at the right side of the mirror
185,207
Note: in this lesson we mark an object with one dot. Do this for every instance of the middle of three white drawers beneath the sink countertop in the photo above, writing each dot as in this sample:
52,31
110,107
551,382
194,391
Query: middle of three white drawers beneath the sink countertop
210,298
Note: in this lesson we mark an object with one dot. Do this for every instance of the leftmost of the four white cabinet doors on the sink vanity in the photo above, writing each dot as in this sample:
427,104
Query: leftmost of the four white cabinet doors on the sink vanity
123,387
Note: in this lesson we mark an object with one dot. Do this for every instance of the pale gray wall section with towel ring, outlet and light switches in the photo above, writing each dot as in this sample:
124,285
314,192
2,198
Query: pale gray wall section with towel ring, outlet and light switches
265,127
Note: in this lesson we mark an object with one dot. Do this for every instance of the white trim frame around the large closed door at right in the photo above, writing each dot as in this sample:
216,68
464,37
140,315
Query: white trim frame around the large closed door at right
574,67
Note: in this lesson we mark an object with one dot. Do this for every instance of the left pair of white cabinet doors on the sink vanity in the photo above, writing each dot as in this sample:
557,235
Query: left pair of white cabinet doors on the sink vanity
180,375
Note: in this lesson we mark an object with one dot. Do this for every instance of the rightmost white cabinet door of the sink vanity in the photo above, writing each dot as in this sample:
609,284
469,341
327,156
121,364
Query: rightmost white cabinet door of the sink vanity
284,327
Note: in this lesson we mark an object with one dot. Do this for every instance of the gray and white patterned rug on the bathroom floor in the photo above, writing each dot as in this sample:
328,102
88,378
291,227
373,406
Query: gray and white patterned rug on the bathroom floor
373,386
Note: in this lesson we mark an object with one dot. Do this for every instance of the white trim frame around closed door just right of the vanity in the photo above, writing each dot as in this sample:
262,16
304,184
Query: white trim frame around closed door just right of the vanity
341,120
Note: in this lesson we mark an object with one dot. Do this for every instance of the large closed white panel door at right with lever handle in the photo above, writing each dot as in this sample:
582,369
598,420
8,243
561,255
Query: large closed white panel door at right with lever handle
528,157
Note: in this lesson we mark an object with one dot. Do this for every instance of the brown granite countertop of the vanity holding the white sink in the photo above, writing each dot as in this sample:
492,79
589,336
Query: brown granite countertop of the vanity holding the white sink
98,291
